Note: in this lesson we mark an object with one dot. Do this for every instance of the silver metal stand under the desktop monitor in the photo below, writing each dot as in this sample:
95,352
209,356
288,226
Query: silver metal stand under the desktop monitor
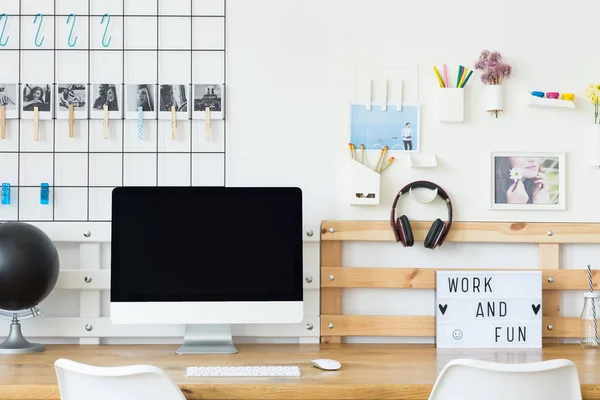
207,339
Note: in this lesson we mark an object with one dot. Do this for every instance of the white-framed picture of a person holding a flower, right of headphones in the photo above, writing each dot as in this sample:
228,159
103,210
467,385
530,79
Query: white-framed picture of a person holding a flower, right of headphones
528,181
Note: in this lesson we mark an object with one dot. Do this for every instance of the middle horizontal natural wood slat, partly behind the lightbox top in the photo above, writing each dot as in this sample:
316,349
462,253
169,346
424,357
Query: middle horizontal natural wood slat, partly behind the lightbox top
424,278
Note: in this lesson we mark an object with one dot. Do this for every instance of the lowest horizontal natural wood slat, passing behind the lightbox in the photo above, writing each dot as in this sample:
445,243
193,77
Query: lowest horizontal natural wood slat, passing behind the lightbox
422,326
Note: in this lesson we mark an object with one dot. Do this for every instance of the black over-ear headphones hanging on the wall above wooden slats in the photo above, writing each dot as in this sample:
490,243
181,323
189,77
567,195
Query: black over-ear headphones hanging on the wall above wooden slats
439,229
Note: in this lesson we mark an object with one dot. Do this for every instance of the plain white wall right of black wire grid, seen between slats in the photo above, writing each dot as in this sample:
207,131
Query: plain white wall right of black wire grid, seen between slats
297,59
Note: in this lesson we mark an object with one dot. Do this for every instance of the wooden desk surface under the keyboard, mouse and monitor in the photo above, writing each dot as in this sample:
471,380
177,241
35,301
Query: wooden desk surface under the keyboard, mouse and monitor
368,371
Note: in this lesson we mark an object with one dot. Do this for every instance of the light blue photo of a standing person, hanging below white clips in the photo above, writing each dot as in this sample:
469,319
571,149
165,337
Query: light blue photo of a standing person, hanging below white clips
375,128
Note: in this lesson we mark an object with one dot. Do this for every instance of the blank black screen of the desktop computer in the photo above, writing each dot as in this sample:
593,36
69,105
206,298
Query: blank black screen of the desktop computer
206,244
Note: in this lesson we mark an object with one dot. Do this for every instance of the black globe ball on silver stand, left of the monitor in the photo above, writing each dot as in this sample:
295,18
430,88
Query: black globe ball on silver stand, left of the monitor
29,266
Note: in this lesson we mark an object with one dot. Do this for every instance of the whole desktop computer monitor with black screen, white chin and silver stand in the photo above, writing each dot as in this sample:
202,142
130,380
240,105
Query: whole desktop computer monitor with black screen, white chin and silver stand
206,257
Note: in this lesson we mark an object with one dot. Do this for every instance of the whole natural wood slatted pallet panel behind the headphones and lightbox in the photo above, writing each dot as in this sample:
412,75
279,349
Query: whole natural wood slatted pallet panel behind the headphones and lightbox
334,278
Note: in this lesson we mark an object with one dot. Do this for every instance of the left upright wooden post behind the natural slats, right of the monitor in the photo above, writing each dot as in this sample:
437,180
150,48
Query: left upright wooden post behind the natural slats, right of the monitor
331,298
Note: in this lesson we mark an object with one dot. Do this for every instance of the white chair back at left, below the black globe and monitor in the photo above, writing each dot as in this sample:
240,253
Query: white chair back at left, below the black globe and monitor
78,381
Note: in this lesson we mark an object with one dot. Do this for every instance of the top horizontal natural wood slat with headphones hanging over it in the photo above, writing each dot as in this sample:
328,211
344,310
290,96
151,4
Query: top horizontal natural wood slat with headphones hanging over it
473,232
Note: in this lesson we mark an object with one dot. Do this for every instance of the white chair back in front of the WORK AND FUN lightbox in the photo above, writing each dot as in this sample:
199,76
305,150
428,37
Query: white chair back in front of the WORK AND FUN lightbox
467,379
